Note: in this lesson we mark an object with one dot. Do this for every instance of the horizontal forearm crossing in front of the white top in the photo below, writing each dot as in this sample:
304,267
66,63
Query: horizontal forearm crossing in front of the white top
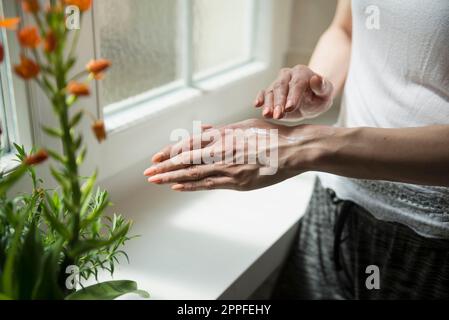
410,155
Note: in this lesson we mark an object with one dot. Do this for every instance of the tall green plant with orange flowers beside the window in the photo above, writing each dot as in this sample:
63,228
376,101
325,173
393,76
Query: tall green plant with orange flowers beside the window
46,234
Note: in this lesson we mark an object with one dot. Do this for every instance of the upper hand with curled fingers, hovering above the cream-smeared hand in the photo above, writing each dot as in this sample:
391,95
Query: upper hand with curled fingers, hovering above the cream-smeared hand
298,93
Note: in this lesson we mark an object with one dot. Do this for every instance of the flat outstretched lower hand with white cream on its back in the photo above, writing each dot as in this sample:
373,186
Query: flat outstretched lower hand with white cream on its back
232,167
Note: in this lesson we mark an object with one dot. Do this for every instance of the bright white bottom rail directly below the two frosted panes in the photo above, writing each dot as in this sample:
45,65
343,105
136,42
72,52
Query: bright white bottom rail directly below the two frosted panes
143,111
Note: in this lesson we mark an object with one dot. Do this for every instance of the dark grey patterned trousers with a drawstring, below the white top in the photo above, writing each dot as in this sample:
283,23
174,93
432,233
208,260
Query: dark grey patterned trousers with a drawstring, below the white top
343,252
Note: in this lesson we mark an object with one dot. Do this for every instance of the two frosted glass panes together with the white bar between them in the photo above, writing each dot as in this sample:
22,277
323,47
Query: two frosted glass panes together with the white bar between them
162,45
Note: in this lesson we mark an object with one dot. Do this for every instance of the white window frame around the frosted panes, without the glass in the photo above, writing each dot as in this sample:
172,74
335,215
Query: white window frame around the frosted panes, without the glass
134,135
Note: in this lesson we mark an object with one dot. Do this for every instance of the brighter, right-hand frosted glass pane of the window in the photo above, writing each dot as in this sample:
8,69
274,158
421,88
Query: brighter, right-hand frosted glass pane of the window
222,33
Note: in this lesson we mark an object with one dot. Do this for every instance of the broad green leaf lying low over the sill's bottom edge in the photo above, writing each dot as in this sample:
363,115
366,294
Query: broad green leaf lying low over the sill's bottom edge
108,291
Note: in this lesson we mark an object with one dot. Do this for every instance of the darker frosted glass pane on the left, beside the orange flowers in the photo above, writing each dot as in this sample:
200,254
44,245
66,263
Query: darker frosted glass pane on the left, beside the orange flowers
141,38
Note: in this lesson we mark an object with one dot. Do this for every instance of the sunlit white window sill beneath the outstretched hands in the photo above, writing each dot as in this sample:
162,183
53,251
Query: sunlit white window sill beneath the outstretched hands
210,245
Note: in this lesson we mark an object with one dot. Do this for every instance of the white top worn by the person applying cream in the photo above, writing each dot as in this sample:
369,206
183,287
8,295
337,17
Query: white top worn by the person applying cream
399,77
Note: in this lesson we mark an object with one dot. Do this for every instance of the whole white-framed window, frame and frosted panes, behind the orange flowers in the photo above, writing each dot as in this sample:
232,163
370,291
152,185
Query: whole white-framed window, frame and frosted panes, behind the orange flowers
174,61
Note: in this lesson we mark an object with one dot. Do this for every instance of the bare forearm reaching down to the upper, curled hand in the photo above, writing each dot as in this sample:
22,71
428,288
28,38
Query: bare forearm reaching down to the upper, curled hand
334,67
